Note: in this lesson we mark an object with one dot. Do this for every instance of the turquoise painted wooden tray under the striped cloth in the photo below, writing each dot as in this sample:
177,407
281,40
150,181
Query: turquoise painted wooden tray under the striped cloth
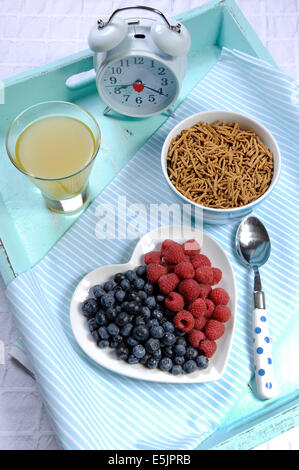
28,230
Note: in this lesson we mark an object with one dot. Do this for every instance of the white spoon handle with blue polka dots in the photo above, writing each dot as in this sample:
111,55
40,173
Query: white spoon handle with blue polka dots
263,354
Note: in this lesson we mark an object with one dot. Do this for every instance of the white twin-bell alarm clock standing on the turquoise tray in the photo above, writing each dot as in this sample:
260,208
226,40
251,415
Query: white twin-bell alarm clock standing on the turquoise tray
139,62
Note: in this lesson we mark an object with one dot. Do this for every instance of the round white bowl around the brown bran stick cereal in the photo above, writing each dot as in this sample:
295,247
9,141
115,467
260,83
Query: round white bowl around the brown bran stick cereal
221,216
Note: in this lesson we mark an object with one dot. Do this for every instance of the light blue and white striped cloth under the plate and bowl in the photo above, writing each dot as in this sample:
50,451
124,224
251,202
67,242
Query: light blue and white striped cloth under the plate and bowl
93,408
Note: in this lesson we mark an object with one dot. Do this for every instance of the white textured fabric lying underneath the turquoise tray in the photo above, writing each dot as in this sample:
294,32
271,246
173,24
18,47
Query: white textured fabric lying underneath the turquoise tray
35,32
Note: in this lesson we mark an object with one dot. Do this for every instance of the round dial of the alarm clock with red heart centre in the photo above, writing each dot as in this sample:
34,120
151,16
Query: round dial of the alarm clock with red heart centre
138,86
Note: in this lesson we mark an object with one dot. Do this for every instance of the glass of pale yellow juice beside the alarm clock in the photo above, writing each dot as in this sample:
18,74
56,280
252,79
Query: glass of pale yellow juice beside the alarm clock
55,144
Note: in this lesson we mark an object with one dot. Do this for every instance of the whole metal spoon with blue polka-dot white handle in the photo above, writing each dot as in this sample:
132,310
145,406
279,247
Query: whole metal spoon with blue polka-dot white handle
253,248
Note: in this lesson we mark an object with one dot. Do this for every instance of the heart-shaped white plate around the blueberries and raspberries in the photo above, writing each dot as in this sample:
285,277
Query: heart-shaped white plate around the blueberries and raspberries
152,241
